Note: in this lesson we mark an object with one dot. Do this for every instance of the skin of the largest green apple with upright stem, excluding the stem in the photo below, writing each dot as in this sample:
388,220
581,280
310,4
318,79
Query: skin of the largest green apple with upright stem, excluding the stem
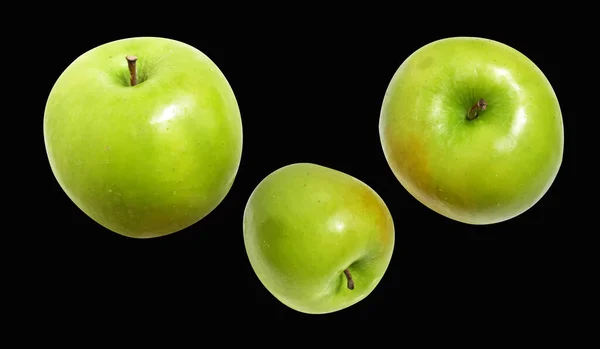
147,160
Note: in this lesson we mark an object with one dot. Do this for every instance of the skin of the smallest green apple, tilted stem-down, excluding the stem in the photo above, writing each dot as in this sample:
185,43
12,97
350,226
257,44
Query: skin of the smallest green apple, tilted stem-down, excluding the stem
304,224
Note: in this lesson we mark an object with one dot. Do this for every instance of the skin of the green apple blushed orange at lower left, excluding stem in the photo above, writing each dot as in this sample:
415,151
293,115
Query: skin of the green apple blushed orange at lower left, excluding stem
481,171
